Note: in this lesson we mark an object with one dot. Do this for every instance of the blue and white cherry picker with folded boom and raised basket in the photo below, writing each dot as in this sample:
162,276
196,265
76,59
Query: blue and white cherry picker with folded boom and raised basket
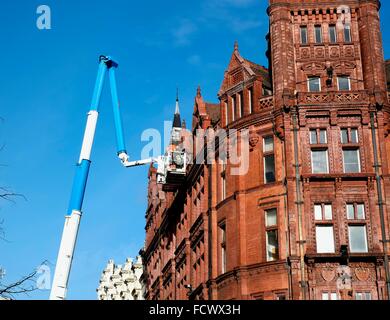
166,167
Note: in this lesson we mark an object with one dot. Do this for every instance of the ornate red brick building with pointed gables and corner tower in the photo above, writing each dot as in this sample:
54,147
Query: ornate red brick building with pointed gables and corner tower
310,220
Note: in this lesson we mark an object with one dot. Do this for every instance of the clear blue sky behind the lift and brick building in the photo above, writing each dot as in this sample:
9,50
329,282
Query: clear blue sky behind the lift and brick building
46,83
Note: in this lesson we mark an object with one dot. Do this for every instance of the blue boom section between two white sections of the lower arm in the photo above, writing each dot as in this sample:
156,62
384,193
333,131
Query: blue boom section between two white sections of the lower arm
79,184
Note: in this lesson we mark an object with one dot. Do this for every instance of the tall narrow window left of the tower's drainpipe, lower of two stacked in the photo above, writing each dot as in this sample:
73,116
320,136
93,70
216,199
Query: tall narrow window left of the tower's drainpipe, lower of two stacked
271,225
